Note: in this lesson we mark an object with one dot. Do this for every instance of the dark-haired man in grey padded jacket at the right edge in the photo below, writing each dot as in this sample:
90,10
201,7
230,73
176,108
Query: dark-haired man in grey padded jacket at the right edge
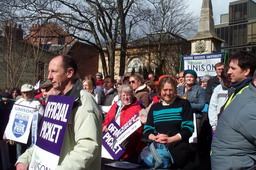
234,143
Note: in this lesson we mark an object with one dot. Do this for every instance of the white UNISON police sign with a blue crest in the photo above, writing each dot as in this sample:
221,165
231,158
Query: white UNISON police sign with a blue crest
18,127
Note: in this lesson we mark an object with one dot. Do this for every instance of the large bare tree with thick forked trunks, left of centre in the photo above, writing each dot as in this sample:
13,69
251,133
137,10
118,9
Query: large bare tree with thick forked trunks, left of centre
101,23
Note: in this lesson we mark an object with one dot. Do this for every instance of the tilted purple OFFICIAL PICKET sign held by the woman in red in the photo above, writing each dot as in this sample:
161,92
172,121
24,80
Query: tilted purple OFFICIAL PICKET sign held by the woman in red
112,139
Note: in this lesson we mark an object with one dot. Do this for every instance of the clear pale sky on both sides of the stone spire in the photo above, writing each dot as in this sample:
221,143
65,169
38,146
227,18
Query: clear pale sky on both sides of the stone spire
219,7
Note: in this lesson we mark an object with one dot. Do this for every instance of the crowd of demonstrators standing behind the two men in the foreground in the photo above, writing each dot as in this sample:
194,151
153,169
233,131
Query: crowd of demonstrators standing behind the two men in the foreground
167,107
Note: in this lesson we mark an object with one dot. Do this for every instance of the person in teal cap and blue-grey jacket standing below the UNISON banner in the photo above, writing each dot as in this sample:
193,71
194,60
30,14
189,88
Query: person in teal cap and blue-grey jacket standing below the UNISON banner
194,94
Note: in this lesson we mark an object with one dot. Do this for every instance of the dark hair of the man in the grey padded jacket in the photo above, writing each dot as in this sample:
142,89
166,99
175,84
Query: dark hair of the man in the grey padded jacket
245,60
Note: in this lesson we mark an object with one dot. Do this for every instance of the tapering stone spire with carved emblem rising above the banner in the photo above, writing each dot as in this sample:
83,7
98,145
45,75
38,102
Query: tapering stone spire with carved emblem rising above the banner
205,41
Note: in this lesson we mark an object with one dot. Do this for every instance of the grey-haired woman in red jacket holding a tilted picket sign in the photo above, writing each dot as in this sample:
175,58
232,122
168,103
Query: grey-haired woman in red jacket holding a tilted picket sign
122,111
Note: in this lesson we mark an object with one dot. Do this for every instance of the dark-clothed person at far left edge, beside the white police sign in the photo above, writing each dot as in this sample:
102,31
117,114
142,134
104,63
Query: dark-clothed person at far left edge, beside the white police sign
6,105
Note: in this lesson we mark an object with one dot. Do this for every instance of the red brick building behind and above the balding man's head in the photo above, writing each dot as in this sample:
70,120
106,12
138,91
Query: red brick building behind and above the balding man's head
53,38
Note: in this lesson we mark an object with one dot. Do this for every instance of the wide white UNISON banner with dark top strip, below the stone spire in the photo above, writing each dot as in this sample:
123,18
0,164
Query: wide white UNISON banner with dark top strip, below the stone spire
202,64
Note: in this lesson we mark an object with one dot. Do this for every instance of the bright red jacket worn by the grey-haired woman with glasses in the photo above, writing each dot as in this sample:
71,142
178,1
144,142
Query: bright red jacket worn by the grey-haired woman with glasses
134,146
